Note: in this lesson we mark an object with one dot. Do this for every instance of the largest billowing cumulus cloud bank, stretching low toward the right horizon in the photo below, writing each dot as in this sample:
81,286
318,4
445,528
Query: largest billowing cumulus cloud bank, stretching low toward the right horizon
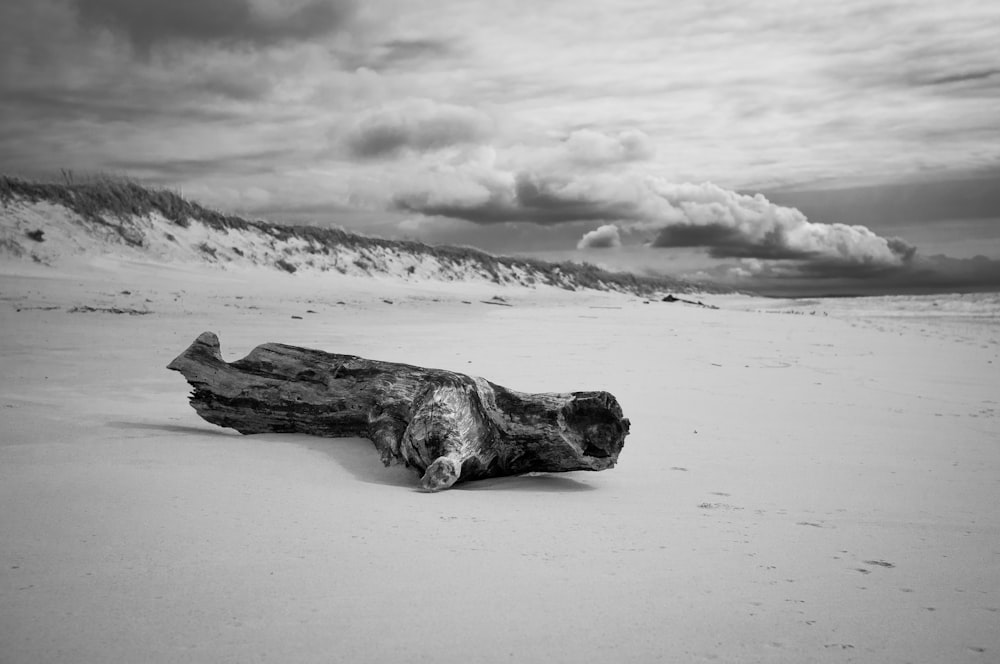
725,223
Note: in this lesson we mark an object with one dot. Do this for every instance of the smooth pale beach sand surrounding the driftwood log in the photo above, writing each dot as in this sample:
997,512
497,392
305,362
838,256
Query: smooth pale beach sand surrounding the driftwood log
796,488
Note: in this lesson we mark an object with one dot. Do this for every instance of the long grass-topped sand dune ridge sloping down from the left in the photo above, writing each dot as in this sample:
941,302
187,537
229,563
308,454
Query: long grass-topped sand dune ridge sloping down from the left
50,223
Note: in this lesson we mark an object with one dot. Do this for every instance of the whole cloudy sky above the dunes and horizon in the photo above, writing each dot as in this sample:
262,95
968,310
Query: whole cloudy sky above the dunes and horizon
784,145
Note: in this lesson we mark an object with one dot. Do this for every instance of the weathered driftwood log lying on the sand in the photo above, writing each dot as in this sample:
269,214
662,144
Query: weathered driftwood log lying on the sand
449,426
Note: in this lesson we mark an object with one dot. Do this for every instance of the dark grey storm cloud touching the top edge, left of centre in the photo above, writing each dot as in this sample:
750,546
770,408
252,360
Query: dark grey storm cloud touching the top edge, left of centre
149,22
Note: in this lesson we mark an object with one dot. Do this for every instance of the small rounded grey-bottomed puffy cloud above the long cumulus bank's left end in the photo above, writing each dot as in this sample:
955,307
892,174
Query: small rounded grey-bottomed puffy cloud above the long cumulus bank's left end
417,124
